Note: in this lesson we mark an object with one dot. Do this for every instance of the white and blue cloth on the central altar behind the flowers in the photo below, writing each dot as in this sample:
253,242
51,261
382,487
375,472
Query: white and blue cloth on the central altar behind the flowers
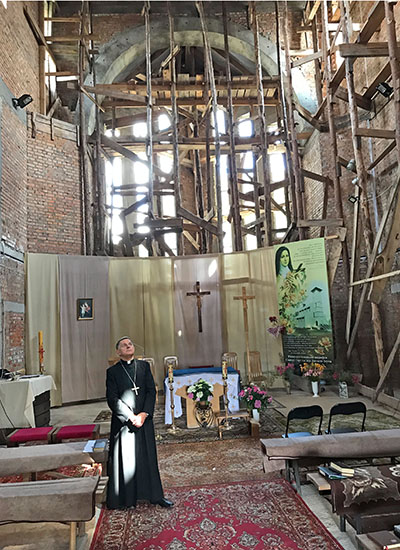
187,377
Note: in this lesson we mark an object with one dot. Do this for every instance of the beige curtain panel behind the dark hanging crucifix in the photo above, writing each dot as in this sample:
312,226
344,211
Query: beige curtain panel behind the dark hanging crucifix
196,348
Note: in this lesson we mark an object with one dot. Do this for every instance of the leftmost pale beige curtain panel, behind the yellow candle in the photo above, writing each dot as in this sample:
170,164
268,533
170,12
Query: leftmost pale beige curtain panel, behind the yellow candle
42,313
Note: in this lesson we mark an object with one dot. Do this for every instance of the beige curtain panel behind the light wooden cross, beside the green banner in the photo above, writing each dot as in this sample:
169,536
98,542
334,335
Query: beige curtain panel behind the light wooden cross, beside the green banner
255,271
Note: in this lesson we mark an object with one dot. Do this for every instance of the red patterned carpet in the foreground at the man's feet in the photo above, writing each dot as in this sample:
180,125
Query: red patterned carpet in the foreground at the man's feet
251,515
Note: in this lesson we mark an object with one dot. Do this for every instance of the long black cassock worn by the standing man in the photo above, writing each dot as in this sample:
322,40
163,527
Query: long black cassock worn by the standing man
132,465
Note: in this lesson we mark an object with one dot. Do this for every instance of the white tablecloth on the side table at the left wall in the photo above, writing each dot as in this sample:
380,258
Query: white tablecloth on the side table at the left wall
17,400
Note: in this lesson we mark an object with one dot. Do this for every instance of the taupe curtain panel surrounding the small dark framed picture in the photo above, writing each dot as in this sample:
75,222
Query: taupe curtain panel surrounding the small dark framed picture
84,344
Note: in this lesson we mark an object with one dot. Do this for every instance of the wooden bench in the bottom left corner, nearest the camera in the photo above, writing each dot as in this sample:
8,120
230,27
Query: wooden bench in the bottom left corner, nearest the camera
66,501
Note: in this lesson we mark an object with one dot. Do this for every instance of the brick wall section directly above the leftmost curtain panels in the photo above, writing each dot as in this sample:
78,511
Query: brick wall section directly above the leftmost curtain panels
53,190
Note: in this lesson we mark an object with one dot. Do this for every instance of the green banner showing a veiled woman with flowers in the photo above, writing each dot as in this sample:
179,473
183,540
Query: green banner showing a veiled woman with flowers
303,302
